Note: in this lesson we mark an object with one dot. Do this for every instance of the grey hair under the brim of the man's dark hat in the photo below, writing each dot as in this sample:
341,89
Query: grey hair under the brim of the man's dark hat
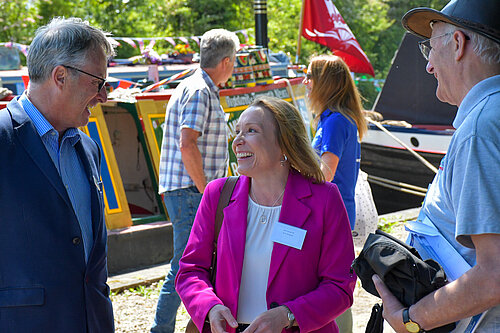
486,49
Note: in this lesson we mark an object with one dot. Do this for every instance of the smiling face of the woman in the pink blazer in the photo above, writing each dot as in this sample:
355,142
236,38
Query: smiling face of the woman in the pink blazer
256,146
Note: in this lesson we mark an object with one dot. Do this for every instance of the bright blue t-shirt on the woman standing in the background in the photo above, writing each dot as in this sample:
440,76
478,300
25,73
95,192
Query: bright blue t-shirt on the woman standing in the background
338,135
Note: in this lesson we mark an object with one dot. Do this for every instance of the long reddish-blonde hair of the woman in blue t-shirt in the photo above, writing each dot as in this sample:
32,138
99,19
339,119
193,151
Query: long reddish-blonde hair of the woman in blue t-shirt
334,88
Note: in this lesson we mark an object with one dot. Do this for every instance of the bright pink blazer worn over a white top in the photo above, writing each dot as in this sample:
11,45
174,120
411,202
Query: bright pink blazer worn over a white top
315,283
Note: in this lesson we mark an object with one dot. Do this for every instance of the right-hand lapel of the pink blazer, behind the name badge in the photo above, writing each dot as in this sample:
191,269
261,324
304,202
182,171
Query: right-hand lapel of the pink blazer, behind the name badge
293,212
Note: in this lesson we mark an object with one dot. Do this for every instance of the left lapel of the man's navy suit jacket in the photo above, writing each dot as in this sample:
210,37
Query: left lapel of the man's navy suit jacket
34,147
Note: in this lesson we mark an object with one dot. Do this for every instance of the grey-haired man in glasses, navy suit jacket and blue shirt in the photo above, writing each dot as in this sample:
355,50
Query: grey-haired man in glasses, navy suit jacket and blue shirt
52,233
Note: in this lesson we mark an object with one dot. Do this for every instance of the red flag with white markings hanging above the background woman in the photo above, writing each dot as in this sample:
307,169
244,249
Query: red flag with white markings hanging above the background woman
323,24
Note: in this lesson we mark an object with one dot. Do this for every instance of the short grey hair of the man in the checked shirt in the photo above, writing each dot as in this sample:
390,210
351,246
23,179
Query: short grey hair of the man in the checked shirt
217,44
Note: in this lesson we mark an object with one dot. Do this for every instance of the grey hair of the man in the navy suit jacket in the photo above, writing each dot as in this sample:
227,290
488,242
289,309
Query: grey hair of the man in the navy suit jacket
62,41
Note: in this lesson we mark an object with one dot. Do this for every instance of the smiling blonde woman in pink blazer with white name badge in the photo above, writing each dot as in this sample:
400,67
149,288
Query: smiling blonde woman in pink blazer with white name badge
285,246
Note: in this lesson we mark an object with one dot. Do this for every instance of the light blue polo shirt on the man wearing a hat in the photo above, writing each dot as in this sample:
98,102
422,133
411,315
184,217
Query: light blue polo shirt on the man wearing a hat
464,197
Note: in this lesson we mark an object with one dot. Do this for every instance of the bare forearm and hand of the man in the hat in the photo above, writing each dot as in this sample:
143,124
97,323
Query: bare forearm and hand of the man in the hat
474,292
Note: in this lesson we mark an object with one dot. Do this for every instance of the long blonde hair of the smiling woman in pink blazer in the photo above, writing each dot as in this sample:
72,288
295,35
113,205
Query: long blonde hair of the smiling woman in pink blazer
292,137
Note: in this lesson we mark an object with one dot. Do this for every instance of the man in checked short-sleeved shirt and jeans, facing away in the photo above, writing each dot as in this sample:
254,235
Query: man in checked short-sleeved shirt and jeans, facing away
194,151
